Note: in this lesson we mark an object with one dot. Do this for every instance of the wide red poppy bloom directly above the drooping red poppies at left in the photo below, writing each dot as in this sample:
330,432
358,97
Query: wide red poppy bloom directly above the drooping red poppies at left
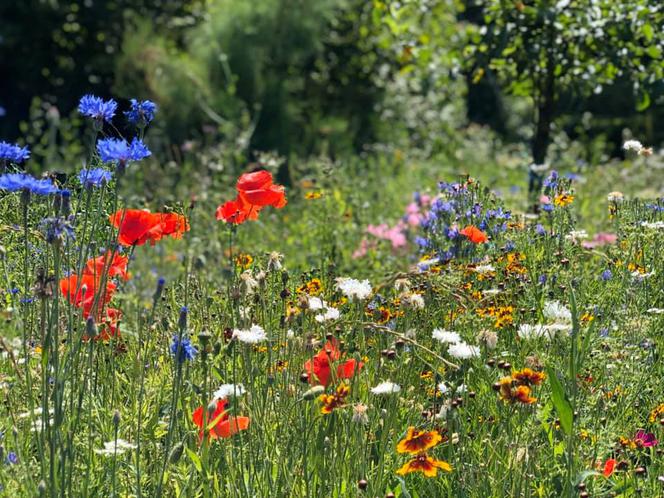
137,226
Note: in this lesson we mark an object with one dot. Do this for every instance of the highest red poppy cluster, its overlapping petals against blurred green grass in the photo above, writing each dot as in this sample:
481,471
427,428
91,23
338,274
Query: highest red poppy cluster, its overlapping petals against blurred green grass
255,191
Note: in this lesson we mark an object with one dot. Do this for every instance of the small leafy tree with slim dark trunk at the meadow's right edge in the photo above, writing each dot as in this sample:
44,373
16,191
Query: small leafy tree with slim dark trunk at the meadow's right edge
543,48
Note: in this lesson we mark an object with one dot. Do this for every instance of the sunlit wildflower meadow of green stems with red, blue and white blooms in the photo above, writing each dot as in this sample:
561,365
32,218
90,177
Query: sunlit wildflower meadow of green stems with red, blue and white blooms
383,326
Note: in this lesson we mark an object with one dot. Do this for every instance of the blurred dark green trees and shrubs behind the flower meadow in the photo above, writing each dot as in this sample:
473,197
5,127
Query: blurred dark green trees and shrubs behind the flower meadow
335,78
